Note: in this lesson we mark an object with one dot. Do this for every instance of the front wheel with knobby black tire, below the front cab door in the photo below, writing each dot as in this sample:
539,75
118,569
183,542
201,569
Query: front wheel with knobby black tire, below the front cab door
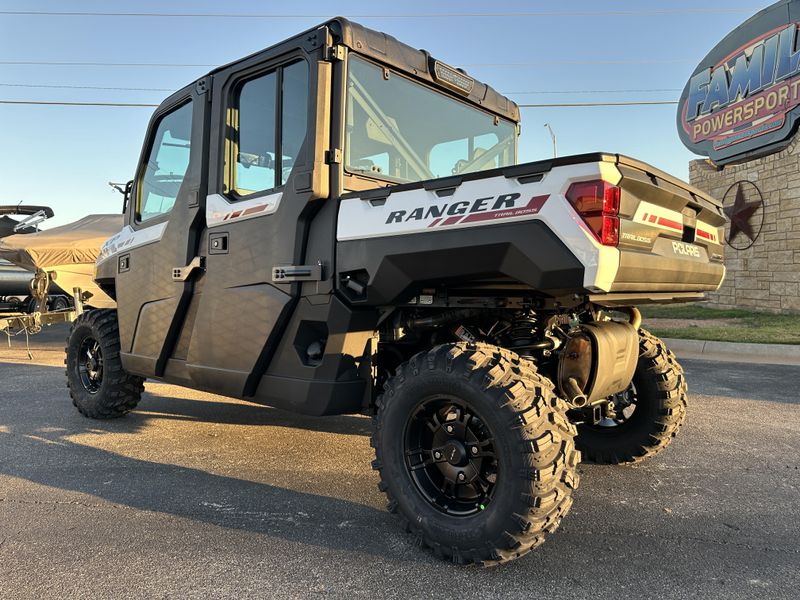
98,385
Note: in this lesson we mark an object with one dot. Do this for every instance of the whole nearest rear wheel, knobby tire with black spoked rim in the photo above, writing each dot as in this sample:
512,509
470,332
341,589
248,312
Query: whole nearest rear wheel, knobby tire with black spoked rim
511,423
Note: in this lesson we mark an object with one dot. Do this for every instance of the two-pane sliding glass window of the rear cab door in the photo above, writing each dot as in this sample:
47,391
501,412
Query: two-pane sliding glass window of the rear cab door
263,154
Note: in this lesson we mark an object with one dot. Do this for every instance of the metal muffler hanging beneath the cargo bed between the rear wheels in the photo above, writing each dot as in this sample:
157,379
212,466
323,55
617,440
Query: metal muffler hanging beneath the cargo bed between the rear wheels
598,360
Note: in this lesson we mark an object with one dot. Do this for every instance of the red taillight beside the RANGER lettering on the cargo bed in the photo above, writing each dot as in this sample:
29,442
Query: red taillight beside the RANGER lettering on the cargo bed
597,202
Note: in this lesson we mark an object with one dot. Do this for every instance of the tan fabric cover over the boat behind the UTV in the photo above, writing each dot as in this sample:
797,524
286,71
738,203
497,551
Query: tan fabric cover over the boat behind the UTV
75,243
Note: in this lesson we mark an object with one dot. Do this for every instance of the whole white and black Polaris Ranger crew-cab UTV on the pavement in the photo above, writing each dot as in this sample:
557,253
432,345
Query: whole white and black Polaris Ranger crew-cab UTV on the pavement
338,224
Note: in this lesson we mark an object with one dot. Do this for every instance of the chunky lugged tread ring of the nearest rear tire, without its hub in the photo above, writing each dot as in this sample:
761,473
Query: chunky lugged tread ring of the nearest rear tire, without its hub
538,419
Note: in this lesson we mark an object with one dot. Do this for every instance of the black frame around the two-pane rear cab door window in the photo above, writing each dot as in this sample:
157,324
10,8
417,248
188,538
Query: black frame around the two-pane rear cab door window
230,146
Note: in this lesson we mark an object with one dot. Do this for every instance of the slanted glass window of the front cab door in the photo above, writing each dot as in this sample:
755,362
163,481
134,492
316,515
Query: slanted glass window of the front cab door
167,162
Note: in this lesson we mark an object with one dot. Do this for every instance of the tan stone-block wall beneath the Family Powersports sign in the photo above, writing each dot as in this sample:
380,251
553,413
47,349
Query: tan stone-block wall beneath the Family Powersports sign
767,275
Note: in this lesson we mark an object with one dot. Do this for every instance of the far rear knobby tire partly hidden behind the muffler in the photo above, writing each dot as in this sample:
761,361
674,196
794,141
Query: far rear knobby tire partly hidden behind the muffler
658,413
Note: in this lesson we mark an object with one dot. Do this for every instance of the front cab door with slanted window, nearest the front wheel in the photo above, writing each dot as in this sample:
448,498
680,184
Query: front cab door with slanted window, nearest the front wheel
154,279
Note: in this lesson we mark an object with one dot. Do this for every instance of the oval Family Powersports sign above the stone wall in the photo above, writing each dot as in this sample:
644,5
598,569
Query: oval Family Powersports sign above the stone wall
743,100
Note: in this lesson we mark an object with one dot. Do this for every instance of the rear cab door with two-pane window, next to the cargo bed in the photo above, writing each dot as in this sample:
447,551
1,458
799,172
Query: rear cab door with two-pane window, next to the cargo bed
265,184
